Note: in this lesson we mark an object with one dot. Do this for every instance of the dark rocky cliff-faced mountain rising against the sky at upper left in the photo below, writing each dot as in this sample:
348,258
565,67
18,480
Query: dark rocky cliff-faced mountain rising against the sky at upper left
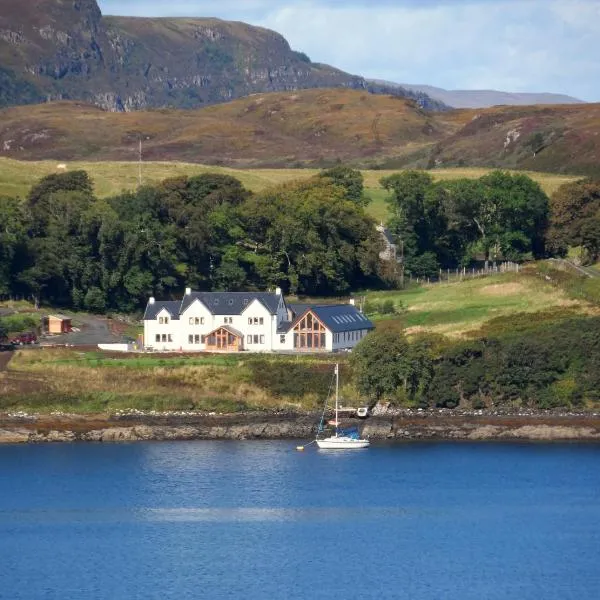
66,50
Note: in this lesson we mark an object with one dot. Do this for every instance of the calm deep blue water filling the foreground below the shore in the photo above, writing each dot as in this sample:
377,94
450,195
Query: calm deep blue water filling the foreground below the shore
260,520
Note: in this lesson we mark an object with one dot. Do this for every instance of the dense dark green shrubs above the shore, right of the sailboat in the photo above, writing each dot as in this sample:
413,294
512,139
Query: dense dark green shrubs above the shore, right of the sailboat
552,362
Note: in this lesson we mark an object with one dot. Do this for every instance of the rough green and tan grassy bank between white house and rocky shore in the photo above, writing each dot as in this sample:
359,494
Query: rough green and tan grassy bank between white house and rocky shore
75,380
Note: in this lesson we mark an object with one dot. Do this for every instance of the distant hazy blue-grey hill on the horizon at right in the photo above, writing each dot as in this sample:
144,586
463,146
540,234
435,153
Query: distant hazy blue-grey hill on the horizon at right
488,98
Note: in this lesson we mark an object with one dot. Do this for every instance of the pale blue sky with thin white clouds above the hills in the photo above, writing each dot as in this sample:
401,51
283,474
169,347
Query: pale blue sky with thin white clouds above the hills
508,45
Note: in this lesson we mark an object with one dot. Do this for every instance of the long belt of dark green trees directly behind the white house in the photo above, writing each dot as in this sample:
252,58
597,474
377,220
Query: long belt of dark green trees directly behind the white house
65,246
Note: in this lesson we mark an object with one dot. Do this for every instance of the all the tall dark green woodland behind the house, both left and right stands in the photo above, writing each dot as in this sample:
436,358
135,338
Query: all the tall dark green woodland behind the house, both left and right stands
64,246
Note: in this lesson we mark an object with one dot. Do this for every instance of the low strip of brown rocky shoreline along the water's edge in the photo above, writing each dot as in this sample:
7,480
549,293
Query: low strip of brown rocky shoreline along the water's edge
404,425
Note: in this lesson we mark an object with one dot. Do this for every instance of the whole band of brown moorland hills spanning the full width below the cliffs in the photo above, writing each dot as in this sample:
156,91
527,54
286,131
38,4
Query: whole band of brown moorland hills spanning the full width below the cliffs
313,128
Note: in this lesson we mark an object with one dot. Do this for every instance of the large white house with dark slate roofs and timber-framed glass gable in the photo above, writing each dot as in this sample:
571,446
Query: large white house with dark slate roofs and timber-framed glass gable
250,321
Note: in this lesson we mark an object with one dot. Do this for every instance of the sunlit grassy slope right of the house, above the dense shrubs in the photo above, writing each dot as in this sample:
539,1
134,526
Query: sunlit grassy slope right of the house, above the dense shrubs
461,308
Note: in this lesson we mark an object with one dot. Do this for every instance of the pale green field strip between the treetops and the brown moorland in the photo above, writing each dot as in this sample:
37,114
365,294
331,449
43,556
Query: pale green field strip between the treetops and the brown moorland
17,177
